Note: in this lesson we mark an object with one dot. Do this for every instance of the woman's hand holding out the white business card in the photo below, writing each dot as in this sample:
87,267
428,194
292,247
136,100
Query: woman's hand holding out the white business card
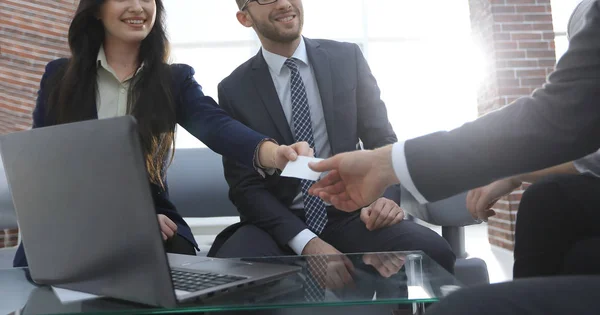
272,155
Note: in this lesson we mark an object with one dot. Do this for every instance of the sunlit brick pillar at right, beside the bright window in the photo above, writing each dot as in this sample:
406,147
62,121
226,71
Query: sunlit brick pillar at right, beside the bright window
517,36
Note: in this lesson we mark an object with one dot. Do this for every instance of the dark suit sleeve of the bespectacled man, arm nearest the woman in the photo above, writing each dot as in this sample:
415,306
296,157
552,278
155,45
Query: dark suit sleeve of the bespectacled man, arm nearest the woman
248,191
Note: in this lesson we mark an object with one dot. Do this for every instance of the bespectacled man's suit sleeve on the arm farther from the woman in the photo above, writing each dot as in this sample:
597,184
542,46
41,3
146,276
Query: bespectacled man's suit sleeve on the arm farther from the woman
374,128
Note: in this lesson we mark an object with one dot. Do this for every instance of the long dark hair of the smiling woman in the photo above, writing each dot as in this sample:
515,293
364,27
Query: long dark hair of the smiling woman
74,88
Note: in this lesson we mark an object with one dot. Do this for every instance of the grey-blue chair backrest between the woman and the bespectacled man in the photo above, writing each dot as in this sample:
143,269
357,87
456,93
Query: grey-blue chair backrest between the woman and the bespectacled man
197,185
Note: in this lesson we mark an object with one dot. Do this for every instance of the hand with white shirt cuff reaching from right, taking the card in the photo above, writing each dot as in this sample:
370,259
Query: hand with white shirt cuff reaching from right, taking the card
356,179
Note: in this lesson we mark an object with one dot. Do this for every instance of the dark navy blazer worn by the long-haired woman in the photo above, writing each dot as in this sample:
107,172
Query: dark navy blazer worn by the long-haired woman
197,113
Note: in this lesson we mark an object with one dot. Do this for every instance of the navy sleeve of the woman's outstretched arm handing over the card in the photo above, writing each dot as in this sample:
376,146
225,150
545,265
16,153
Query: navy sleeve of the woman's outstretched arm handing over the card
203,118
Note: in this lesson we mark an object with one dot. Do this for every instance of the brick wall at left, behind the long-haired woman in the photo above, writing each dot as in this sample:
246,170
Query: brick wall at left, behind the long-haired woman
32,33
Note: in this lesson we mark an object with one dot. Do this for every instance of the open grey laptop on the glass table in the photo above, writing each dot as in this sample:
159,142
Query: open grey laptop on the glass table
87,219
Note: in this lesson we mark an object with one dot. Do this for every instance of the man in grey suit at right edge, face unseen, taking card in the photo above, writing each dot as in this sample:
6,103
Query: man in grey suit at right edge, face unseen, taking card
557,123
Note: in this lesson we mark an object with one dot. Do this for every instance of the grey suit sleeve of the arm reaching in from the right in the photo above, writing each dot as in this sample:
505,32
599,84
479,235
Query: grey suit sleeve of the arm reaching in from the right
559,122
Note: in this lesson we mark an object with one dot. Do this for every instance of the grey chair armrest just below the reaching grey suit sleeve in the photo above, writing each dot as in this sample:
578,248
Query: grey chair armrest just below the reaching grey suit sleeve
447,212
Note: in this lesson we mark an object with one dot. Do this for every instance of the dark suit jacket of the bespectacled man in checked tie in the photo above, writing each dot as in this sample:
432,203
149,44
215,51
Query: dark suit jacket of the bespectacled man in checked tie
353,111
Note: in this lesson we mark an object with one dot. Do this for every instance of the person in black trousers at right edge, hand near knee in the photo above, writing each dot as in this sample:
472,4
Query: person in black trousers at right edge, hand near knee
557,231
